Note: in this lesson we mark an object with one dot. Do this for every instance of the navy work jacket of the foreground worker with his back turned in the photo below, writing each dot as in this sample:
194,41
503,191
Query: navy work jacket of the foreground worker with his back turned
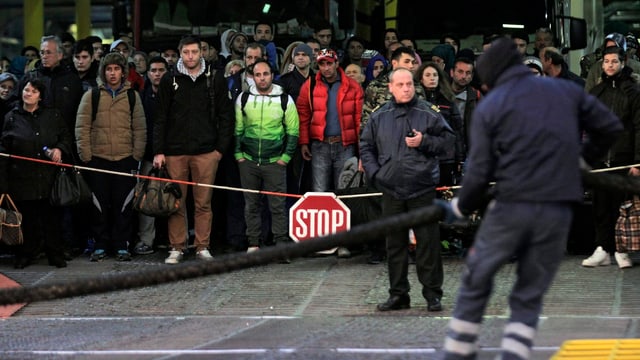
532,151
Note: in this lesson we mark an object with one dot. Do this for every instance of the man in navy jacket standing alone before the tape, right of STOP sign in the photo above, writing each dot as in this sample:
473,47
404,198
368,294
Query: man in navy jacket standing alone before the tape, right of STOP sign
399,148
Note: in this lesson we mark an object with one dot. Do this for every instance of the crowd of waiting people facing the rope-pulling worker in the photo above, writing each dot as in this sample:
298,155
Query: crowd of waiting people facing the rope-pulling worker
243,113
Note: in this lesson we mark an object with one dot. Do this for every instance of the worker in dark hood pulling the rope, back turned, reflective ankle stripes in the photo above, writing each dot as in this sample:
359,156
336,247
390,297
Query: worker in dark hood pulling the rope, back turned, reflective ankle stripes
534,154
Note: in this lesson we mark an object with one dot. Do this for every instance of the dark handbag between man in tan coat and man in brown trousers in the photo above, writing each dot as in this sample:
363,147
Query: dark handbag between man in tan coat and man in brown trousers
157,197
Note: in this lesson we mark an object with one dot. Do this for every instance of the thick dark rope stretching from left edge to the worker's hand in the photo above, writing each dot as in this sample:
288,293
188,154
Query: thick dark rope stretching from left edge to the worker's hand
228,263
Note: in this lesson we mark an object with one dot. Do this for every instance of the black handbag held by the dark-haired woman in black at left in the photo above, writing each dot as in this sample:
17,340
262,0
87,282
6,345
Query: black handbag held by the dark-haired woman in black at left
69,188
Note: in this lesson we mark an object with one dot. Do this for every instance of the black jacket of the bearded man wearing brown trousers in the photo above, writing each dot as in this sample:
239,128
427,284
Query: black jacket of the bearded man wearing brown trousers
183,123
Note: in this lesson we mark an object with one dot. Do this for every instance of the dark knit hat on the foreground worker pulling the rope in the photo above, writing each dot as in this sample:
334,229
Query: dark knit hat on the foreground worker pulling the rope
502,55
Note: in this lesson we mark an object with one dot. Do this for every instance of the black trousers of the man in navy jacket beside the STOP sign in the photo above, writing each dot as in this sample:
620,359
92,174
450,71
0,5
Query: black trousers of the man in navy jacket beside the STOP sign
428,260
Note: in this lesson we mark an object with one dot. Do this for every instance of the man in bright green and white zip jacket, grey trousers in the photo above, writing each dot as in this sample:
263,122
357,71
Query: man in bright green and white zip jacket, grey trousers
266,135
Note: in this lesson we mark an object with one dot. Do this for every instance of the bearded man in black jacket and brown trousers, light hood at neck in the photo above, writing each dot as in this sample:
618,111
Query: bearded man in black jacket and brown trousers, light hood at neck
192,130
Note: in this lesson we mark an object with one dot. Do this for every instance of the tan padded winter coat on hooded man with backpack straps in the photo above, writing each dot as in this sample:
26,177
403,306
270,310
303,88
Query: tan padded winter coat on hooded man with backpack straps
115,134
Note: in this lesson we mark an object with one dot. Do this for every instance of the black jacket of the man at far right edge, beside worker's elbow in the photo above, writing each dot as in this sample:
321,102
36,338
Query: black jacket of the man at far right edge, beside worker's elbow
621,93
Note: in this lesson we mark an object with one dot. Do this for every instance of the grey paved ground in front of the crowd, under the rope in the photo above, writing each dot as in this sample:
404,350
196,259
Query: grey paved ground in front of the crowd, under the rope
313,308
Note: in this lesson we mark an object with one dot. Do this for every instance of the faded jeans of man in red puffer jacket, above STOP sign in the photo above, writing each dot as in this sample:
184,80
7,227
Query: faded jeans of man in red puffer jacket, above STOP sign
327,161
